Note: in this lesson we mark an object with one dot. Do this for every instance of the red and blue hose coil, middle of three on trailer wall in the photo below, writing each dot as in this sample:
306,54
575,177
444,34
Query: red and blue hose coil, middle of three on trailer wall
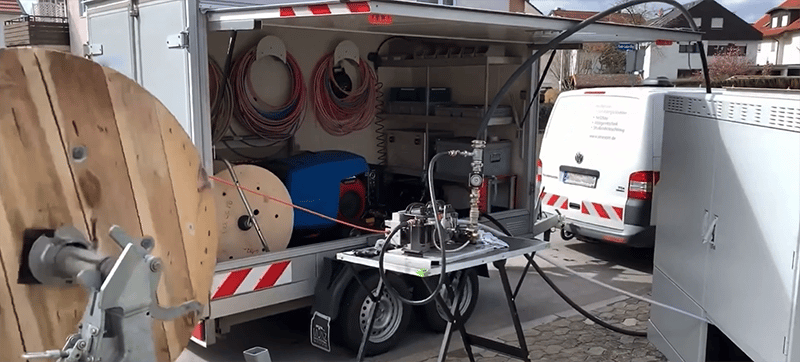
276,123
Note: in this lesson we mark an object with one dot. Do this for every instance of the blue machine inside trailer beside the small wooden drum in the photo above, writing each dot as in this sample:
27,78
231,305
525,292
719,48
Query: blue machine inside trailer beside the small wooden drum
313,180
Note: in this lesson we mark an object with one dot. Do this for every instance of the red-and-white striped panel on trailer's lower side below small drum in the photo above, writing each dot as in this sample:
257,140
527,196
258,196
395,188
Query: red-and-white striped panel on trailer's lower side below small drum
247,280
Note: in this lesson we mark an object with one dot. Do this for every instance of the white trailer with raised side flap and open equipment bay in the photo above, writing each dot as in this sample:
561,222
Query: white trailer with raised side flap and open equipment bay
165,45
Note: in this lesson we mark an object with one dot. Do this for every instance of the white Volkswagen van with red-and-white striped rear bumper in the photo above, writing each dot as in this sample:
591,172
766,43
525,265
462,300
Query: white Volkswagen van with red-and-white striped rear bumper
600,160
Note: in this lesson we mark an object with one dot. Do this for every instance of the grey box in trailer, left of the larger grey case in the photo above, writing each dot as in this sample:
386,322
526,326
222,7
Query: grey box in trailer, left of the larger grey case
410,149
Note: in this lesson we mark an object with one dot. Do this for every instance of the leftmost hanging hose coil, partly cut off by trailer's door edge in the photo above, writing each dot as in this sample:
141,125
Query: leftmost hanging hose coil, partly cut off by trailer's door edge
221,101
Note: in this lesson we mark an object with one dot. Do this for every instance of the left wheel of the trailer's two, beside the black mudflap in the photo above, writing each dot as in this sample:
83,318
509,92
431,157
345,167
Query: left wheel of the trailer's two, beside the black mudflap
391,321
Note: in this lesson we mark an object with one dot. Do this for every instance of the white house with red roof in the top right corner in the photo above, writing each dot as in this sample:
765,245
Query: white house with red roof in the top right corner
780,27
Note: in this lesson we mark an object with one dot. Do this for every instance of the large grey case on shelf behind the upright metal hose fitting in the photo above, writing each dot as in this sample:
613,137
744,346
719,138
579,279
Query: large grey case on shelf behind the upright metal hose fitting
496,159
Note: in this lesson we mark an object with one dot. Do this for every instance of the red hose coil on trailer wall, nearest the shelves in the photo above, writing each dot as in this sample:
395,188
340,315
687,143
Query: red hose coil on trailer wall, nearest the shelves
353,112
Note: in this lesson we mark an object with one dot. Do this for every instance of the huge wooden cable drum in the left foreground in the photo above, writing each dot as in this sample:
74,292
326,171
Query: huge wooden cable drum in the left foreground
83,145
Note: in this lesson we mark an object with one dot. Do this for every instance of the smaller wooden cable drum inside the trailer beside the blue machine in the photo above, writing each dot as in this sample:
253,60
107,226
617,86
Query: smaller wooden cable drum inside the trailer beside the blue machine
237,237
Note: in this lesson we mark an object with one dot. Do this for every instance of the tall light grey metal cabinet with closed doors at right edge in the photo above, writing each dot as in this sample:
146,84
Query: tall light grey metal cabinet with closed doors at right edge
727,234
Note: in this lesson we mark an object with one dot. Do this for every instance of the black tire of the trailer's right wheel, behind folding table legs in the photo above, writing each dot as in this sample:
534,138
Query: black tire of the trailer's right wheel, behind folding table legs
433,316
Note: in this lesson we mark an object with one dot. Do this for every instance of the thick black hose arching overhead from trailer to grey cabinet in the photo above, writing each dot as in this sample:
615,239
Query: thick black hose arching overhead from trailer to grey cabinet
567,33
